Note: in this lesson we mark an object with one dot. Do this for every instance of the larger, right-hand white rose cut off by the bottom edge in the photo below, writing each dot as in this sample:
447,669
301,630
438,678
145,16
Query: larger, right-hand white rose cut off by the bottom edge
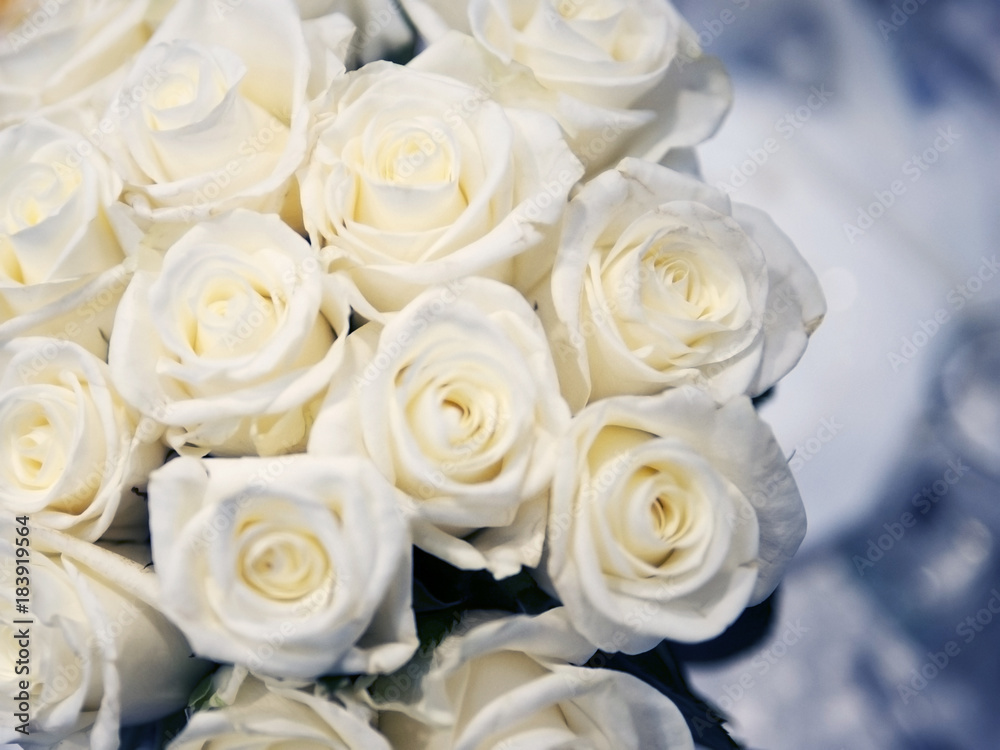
510,682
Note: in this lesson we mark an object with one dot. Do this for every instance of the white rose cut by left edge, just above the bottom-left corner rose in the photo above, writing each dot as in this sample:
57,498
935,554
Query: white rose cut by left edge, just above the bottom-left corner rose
71,457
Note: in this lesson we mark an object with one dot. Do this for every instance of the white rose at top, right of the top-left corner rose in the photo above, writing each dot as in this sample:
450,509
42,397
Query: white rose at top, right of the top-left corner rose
213,114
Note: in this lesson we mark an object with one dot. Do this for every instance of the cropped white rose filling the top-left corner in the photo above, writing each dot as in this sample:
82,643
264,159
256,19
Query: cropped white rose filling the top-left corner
62,58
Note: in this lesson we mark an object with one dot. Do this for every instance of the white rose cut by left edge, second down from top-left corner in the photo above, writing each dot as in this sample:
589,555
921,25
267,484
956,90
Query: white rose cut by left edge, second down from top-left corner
62,269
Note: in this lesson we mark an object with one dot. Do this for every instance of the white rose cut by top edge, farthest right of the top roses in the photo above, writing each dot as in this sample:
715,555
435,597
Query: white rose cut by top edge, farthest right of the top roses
623,77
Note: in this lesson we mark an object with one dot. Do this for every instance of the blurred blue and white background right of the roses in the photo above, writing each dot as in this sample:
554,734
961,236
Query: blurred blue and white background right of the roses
870,130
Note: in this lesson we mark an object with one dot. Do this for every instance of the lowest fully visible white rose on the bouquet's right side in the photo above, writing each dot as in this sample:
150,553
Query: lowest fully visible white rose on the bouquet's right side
669,516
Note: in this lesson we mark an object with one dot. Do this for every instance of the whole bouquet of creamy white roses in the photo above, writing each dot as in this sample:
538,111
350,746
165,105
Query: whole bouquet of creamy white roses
271,317
